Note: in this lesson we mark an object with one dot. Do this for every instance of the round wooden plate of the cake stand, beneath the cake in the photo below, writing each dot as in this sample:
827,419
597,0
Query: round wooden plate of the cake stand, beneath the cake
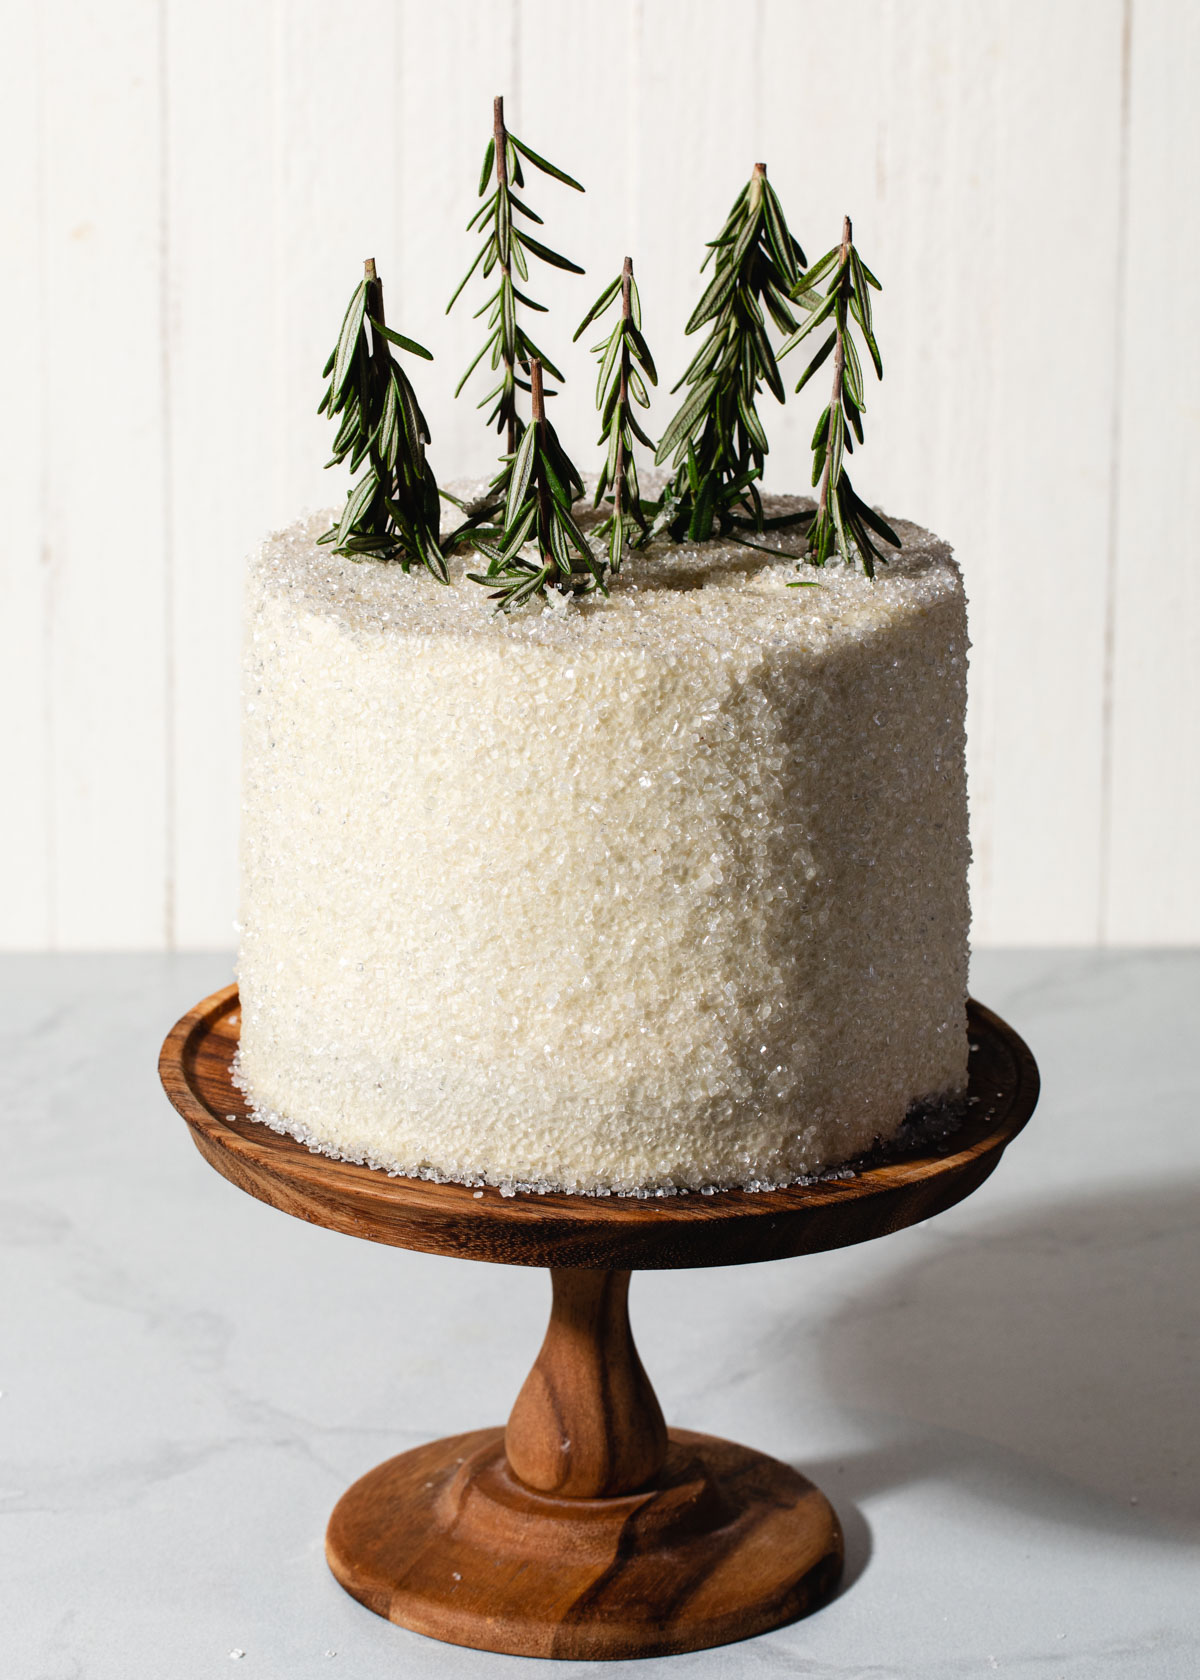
883,1194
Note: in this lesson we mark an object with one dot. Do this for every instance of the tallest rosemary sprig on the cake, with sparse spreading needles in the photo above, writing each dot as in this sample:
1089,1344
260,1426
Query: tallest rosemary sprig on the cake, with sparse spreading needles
505,251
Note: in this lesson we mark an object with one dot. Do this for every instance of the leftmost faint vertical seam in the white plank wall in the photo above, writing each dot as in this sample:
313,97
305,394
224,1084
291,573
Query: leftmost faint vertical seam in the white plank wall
45,549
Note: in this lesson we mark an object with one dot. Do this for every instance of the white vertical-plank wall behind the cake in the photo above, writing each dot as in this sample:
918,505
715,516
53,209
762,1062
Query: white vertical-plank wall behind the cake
191,187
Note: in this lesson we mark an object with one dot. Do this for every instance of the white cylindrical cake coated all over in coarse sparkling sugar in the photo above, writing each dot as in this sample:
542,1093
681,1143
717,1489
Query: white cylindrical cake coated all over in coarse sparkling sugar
646,895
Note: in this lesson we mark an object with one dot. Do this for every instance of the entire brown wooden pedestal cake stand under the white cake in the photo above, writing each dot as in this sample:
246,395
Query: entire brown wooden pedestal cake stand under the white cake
587,1530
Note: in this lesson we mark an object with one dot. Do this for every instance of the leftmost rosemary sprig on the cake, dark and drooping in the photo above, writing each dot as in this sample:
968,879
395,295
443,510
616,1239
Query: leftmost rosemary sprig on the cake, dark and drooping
392,513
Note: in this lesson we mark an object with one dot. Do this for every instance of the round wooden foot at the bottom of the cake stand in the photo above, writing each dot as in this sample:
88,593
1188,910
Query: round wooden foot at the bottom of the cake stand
445,1540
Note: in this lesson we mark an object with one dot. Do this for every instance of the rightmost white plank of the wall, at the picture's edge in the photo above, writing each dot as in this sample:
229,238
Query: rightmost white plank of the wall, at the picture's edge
1150,853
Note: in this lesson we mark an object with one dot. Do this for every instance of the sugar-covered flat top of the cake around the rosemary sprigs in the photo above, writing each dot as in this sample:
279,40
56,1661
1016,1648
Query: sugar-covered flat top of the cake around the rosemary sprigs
665,596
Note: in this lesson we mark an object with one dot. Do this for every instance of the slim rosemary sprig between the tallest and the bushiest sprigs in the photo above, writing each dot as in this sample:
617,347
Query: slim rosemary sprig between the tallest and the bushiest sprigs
626,365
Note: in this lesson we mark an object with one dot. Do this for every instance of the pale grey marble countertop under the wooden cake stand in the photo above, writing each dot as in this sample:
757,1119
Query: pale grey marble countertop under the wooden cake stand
1003,1404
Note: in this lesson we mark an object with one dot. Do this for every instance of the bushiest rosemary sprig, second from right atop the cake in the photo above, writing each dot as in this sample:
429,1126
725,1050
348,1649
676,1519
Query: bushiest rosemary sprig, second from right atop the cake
717,441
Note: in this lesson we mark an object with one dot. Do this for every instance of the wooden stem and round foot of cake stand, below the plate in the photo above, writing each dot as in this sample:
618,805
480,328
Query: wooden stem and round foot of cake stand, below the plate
584,1530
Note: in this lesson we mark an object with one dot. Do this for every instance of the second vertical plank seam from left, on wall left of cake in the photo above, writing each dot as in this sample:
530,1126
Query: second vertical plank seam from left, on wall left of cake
167,471
